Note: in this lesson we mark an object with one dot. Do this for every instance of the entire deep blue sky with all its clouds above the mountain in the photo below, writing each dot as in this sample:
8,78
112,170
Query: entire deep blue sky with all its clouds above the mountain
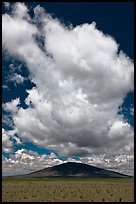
67,85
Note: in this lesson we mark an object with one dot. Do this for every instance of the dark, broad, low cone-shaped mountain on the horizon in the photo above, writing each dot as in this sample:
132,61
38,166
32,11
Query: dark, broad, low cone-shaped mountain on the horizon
71,169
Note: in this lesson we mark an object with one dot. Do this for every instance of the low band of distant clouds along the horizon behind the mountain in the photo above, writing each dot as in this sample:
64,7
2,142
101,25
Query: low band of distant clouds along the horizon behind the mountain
25,161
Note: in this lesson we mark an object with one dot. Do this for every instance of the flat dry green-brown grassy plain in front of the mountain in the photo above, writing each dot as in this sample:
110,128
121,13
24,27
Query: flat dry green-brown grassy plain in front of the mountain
67,190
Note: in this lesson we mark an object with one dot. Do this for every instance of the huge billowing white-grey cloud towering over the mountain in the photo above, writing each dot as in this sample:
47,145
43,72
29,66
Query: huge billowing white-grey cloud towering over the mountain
81,80
